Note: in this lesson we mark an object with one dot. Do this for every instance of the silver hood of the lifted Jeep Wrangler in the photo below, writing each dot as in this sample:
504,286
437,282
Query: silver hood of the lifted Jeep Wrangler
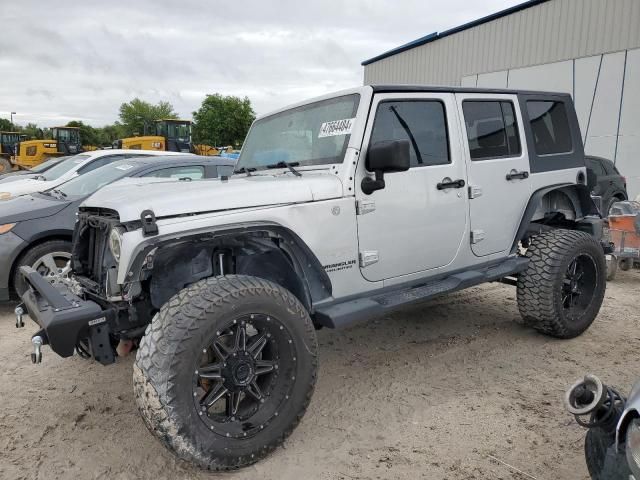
132,196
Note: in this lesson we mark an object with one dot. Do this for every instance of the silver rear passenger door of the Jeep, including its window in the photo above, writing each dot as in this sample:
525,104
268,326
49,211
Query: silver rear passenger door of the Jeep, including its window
498,169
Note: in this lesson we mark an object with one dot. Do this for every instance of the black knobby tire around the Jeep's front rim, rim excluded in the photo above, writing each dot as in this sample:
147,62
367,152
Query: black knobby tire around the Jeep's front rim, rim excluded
164,368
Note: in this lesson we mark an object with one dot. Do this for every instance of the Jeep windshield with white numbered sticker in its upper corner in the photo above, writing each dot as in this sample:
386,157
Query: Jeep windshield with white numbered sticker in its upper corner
314,134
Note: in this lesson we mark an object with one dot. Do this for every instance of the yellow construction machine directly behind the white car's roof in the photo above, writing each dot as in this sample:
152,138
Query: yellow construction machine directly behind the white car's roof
170,135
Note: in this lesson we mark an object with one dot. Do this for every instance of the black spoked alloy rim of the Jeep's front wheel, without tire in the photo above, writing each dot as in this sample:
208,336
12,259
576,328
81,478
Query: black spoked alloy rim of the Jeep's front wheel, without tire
244,376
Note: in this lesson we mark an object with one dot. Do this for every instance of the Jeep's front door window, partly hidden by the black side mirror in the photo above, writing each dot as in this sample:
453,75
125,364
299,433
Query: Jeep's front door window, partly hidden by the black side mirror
422,122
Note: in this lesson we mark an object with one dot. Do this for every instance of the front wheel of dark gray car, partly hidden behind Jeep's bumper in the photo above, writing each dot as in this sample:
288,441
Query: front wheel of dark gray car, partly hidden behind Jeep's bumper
52,259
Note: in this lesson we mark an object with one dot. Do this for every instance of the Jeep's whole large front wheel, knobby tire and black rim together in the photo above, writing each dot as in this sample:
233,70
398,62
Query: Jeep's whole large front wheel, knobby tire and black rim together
226,371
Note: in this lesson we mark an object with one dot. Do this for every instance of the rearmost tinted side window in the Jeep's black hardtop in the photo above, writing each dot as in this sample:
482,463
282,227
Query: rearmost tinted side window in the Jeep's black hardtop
550,127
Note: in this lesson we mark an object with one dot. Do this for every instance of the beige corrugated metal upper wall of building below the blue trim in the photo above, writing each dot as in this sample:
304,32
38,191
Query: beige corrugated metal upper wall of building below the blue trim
546,33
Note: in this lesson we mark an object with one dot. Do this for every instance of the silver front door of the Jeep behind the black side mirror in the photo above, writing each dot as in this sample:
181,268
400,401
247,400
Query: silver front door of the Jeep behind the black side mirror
417,222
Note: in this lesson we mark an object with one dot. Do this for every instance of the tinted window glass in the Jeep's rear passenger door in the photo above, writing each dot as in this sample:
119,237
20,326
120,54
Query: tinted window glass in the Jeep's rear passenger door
492,130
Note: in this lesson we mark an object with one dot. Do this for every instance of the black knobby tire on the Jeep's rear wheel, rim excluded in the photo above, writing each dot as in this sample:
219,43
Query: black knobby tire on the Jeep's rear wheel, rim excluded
540,286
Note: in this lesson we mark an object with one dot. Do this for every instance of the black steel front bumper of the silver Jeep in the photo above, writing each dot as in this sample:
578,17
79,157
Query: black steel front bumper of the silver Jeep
65,318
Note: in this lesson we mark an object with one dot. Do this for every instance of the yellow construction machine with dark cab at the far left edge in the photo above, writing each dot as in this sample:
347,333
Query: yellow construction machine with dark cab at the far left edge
29,153
